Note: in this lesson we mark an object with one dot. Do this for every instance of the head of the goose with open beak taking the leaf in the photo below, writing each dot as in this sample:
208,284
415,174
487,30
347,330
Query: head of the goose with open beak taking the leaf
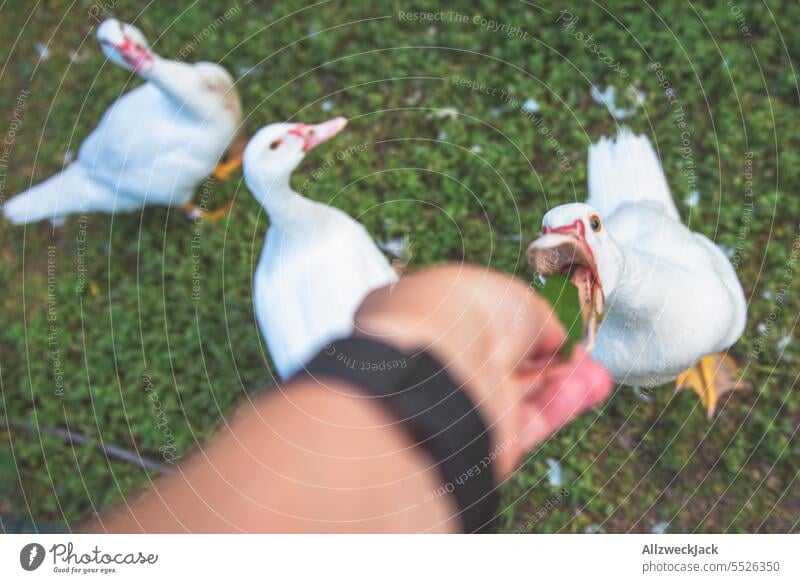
575,243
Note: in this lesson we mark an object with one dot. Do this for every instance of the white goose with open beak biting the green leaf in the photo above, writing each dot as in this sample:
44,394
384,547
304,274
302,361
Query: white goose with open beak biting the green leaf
671,298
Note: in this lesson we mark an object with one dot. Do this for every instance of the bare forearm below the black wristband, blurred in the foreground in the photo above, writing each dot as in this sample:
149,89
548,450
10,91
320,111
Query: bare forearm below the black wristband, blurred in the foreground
308,459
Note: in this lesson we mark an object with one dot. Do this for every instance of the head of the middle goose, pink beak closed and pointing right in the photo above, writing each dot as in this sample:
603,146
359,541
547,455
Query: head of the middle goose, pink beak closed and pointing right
277,149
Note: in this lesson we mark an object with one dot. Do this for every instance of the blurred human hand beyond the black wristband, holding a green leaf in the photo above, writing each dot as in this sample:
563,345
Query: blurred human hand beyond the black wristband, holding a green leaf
500,341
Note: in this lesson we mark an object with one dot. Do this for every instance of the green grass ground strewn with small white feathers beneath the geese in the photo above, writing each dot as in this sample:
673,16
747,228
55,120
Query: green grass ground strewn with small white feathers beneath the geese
627,466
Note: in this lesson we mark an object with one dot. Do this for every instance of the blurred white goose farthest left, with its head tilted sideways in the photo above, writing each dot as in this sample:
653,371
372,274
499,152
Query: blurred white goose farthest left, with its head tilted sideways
154,145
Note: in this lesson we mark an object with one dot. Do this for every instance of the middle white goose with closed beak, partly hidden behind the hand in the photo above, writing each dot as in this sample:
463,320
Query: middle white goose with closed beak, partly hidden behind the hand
317,264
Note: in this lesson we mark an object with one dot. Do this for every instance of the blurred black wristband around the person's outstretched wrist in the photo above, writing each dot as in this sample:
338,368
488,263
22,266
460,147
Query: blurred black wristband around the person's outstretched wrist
440,417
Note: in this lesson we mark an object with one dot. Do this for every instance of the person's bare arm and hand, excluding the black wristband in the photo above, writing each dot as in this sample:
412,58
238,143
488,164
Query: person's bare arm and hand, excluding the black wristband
313,456
